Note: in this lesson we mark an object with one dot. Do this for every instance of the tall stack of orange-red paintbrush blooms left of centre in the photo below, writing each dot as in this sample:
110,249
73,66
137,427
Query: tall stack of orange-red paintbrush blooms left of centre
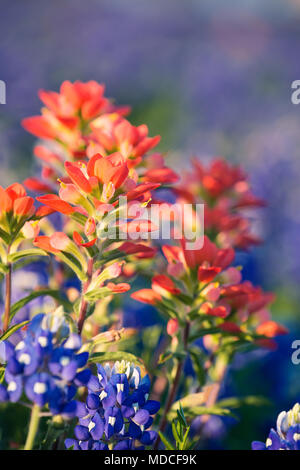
98,158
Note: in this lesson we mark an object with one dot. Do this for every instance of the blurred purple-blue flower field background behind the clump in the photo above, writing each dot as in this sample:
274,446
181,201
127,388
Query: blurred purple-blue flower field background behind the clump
213,78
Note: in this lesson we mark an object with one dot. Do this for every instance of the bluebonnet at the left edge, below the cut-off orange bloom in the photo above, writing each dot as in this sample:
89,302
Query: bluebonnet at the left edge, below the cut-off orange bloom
46,365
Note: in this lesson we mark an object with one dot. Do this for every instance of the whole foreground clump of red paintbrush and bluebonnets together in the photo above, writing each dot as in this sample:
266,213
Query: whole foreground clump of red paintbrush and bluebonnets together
99,176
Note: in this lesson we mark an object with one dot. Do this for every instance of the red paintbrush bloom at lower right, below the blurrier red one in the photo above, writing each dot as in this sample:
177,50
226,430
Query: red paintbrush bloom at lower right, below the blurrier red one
202,286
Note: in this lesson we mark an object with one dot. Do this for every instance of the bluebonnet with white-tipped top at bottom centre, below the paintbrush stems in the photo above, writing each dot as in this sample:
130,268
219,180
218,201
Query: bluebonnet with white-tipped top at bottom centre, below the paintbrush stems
118,413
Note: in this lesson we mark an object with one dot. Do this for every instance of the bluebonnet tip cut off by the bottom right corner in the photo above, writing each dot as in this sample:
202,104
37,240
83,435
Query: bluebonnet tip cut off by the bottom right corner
287,434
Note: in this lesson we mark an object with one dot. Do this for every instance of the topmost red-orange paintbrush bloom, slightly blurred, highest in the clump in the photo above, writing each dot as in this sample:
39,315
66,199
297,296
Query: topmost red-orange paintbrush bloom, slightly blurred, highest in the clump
66,113
